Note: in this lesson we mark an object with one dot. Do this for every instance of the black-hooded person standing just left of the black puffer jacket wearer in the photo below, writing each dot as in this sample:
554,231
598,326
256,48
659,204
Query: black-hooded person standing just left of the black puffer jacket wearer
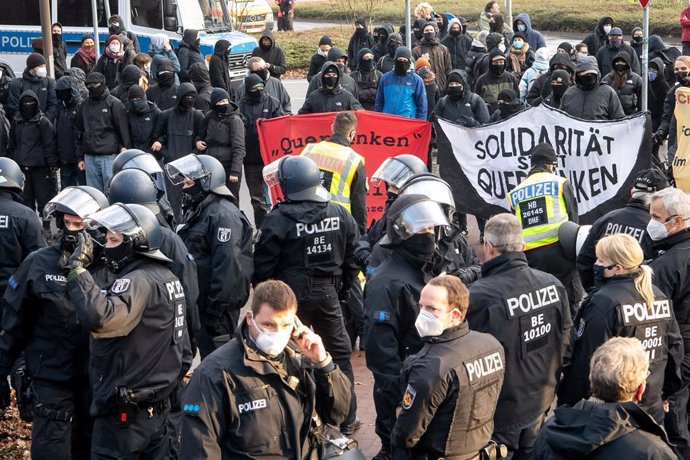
178,127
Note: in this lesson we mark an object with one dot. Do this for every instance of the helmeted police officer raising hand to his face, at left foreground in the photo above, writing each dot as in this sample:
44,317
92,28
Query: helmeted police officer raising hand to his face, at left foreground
137,325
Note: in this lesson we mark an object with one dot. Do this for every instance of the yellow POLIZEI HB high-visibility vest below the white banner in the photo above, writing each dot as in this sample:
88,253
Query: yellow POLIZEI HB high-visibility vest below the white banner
540,207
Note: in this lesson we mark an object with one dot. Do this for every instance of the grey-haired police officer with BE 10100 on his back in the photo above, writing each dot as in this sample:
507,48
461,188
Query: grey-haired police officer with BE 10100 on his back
527,311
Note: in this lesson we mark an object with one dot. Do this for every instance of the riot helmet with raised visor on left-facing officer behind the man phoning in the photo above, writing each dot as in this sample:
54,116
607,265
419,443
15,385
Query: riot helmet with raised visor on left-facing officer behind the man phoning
203,168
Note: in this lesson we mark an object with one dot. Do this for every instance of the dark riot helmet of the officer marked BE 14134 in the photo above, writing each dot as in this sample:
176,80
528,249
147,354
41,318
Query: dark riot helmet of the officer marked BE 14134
299,178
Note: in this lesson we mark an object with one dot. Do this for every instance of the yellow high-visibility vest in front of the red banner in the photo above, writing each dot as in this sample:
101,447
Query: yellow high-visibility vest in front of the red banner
338,165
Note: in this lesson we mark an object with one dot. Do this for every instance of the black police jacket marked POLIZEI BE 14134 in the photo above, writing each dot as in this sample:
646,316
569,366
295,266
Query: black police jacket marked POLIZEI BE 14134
305,240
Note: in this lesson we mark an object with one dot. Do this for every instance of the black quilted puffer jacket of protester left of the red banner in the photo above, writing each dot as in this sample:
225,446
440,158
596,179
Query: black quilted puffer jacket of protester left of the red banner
224,137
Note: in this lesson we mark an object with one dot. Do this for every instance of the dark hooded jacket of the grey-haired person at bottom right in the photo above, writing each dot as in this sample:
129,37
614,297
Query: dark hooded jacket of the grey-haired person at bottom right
599,430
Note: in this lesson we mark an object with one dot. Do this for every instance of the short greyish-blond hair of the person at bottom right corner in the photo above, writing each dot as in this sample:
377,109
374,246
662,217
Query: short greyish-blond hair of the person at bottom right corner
617,369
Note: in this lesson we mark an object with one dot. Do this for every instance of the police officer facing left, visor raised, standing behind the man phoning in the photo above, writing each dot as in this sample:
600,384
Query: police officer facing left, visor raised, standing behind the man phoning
219,237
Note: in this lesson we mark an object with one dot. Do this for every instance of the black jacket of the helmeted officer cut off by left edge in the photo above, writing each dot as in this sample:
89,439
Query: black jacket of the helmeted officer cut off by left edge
20,234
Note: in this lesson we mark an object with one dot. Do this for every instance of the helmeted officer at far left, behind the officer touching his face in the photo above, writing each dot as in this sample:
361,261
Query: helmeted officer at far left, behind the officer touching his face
41,321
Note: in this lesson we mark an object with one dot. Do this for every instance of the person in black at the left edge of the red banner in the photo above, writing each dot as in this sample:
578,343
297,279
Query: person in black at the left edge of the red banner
255,105
